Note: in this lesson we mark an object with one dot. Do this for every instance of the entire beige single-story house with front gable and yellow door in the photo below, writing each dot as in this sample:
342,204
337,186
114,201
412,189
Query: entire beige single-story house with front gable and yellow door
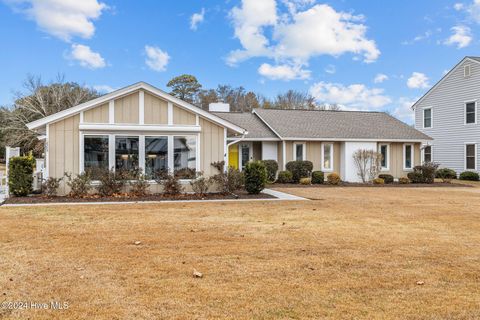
142,127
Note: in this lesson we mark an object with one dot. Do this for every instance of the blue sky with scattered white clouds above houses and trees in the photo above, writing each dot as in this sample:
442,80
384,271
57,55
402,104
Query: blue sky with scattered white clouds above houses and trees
366,55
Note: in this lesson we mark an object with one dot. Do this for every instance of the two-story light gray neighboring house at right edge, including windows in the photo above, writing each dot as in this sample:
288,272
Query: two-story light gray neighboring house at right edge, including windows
448,113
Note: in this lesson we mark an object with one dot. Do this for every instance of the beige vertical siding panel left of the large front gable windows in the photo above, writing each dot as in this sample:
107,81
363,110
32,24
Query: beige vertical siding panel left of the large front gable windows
63,149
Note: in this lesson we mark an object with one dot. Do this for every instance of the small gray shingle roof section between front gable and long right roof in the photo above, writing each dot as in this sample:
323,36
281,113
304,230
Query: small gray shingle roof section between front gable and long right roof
255,127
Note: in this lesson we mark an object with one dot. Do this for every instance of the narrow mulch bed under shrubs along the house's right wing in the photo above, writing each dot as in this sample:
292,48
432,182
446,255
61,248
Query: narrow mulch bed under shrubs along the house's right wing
371,185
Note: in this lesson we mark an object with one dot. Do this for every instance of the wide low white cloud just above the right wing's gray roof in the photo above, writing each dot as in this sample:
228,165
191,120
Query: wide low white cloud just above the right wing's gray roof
354,97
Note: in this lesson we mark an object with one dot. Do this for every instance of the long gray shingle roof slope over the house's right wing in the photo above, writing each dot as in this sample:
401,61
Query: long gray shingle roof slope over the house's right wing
337,125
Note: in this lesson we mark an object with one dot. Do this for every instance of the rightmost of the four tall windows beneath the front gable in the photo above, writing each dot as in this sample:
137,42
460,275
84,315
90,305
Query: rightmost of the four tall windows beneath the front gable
185,156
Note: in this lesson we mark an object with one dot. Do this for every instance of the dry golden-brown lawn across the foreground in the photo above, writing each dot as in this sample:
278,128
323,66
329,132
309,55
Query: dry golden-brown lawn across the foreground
355,253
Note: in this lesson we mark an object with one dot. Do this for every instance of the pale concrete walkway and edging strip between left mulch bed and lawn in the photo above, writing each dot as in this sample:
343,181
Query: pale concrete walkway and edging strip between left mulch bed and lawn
279,196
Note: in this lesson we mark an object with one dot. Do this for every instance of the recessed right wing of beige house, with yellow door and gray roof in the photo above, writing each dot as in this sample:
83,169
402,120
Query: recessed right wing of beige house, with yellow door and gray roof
326,138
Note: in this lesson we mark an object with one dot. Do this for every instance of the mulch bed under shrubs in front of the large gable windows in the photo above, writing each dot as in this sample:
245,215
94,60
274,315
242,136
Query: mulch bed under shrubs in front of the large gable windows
152,197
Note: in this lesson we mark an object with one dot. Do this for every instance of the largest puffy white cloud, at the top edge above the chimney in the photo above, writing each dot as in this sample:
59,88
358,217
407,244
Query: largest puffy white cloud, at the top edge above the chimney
296,36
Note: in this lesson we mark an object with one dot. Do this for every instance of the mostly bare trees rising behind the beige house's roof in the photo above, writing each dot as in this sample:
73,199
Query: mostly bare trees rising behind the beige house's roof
39,99
